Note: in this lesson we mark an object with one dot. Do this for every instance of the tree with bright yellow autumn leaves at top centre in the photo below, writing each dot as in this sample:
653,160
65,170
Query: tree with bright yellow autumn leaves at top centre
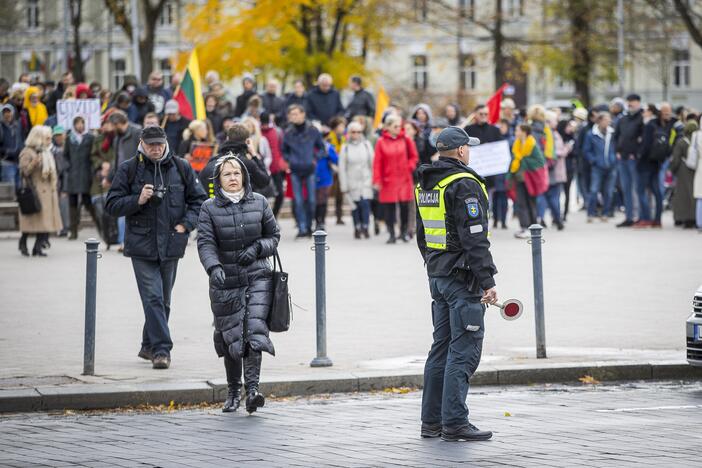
299,38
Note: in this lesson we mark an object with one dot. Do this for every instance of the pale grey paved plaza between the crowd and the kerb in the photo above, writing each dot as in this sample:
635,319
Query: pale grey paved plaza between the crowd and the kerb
609,294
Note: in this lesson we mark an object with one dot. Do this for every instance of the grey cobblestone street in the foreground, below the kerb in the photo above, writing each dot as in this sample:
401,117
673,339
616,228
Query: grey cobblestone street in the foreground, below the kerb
635,424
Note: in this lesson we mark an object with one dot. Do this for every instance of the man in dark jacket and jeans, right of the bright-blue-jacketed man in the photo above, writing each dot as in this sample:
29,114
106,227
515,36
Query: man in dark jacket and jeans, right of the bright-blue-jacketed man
628,134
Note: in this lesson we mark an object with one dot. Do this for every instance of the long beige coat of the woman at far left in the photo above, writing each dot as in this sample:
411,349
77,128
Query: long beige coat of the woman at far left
49,218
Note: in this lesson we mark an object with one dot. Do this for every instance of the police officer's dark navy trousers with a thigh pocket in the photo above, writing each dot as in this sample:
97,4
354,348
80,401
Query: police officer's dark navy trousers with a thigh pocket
458,318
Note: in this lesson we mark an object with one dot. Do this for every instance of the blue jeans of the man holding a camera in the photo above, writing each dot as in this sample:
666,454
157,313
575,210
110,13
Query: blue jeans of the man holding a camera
155,279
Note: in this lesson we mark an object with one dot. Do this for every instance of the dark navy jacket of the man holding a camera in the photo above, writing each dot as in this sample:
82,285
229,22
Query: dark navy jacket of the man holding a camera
150,230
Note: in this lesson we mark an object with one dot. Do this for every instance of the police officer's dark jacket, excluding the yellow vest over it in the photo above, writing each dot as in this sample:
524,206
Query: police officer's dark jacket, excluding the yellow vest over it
468,247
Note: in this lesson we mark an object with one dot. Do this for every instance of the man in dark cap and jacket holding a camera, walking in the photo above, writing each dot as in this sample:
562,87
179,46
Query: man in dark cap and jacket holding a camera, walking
160,196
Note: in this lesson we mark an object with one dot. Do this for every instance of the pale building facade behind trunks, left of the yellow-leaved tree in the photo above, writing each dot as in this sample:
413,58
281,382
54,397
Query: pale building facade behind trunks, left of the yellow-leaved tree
34,35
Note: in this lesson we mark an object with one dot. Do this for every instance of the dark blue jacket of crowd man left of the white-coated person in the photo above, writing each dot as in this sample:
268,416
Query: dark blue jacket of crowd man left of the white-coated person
302,148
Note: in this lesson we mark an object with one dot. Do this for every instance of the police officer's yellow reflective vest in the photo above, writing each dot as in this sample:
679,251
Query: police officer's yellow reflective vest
432,209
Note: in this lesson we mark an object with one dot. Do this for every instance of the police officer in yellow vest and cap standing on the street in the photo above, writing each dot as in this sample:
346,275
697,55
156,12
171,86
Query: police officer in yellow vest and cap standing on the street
452,235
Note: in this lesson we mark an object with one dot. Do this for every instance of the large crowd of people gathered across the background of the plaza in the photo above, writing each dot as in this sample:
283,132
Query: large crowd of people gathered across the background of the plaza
308,146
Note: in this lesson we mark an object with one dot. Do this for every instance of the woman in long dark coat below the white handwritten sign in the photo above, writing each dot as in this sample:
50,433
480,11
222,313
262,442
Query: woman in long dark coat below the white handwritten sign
79,174
